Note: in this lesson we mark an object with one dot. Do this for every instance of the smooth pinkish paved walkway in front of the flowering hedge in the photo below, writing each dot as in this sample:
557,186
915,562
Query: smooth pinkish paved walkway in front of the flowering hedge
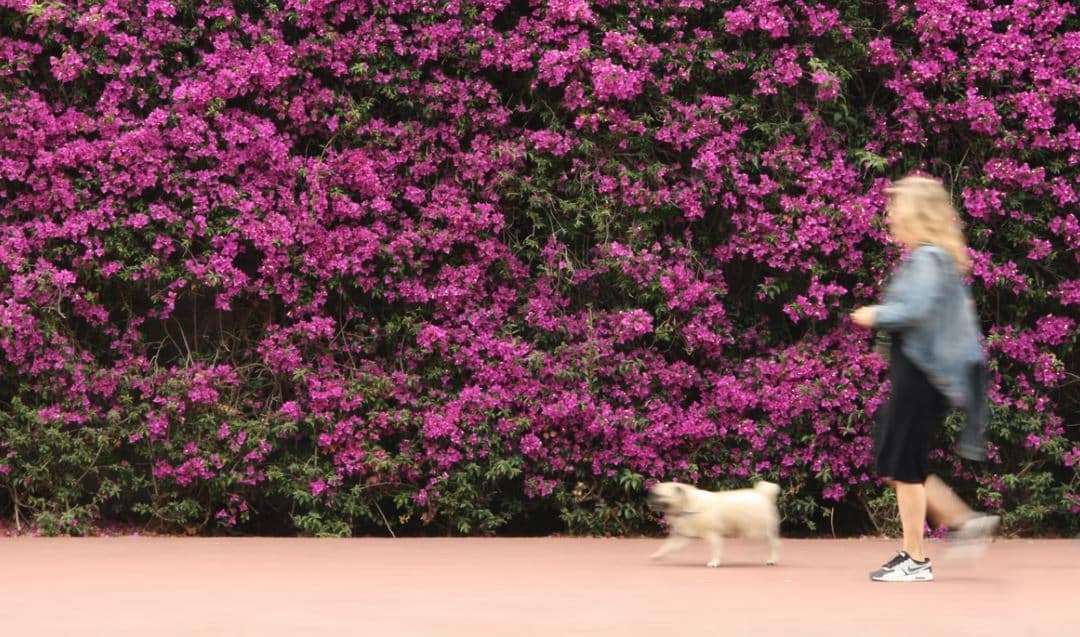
550,587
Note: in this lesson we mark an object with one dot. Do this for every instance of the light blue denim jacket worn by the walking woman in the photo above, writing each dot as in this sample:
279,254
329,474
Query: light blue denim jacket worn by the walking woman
928,302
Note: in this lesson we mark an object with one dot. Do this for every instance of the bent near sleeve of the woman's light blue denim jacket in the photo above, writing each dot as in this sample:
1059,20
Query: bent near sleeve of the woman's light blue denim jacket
913,293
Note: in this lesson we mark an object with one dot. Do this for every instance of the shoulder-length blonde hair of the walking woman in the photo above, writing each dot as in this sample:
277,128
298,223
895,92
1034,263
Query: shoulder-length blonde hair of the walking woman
929,215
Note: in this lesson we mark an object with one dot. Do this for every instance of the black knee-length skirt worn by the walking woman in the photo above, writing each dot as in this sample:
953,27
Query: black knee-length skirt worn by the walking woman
909,424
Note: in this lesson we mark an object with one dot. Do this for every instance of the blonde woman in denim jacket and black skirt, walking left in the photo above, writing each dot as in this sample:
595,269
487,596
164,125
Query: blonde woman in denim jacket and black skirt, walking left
937,361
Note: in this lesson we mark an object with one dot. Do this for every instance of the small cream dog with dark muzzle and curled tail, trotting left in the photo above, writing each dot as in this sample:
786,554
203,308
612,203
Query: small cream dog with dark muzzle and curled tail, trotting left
714,516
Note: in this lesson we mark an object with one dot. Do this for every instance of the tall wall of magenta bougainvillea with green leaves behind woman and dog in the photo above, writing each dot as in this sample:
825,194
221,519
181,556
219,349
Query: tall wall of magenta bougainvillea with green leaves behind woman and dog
440,266
